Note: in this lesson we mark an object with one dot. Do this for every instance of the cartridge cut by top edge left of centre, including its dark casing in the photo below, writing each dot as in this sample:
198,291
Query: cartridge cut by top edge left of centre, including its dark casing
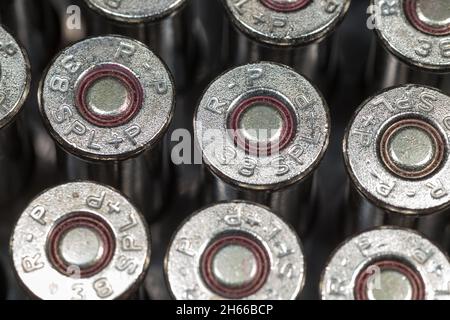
175,29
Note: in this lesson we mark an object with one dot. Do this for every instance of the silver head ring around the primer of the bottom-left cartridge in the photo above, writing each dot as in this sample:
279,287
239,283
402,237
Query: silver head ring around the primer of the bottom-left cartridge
30,243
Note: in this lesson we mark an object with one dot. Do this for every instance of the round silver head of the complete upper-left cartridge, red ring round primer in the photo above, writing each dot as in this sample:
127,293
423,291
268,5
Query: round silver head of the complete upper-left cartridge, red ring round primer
142,115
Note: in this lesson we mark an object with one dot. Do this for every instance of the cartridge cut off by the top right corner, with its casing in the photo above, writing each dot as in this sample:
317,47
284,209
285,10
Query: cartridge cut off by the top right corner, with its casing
412,44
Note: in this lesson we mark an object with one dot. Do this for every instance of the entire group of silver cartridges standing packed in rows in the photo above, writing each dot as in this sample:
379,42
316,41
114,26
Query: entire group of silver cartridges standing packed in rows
114,111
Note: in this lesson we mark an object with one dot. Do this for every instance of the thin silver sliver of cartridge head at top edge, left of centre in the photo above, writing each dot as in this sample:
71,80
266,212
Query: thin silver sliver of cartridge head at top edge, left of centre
136,11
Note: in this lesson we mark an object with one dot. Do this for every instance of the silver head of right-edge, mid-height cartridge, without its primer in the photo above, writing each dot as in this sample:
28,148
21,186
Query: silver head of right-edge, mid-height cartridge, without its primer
419,193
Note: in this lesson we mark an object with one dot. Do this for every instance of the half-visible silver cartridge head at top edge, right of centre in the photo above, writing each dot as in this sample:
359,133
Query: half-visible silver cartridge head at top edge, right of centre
301,23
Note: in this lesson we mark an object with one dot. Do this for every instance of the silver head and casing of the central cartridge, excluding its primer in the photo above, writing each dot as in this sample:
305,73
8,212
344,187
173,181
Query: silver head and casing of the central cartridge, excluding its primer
273,178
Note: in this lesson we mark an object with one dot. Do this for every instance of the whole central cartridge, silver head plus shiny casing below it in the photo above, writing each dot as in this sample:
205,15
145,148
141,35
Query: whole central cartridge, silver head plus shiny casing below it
262,130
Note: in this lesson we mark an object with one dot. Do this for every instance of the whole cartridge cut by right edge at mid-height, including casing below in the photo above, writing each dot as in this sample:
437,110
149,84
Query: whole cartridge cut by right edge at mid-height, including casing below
396,154
